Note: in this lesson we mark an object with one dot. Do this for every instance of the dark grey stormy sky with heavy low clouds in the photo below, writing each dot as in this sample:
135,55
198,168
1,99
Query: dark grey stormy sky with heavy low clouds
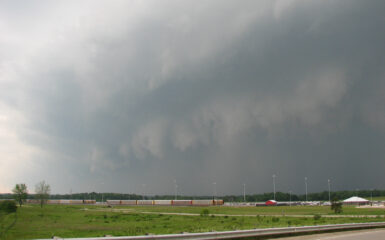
129,96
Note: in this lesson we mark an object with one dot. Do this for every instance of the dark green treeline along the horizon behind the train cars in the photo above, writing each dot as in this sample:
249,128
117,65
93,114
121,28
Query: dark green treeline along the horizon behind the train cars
279,196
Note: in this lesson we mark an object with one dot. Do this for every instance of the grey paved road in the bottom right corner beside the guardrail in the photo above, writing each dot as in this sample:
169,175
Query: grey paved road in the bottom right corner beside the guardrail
373,234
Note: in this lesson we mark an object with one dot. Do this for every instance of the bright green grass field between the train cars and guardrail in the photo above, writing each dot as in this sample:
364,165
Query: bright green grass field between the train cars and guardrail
75,221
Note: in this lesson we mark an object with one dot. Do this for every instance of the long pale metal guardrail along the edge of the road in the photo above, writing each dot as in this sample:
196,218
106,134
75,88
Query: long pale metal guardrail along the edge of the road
245,233
